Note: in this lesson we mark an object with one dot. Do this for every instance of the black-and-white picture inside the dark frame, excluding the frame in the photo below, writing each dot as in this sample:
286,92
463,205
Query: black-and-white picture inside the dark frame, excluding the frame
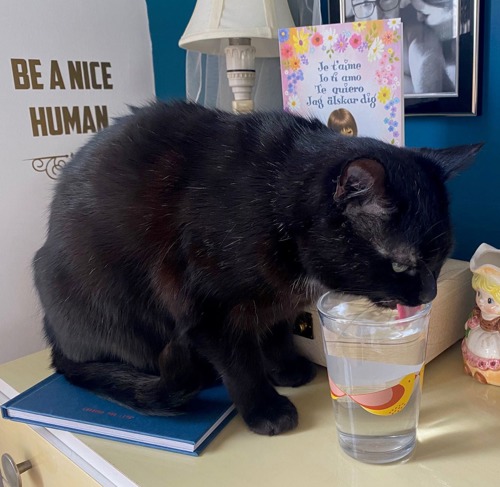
426,69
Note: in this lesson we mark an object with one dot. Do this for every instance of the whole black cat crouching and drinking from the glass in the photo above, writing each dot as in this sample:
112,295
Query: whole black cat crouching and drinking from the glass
183,242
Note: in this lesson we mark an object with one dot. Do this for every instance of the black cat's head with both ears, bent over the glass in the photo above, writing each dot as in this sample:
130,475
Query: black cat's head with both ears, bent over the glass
385,230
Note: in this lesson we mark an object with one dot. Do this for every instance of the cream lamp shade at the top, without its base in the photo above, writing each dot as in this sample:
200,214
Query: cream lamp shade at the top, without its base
215,21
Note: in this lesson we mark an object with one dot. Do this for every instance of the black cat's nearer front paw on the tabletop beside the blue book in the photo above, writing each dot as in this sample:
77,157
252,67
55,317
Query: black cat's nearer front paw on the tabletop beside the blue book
275,417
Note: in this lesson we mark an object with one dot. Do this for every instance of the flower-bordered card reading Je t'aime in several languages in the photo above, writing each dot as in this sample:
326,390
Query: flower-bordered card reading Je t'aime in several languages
347,75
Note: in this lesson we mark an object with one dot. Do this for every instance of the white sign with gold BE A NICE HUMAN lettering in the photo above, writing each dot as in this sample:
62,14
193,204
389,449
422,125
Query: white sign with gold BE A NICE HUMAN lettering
67,68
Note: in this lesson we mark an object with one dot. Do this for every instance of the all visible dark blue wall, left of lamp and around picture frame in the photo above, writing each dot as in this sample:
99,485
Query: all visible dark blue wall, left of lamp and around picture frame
475,194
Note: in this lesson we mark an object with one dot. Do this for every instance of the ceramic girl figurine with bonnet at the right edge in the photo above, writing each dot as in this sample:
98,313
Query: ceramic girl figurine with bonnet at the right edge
481,345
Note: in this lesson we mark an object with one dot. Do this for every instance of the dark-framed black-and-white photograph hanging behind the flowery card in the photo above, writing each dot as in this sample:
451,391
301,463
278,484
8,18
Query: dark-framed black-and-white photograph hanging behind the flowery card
441,49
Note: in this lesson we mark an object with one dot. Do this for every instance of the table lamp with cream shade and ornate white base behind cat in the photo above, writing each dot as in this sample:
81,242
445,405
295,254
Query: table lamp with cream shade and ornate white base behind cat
242,30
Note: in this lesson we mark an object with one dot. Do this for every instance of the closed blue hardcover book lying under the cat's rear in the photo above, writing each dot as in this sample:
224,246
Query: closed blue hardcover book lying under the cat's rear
56,403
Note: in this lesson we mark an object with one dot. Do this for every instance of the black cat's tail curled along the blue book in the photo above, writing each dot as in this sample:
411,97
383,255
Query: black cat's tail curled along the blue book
125,384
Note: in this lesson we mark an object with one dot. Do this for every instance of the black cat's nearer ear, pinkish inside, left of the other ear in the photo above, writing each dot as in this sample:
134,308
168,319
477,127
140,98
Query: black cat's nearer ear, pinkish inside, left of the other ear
362,182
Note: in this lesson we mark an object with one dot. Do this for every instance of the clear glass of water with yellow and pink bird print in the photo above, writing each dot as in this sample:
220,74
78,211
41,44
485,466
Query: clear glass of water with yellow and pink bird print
375,360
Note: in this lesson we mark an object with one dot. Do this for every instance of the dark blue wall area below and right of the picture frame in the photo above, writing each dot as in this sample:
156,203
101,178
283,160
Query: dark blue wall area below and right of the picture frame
475,194
